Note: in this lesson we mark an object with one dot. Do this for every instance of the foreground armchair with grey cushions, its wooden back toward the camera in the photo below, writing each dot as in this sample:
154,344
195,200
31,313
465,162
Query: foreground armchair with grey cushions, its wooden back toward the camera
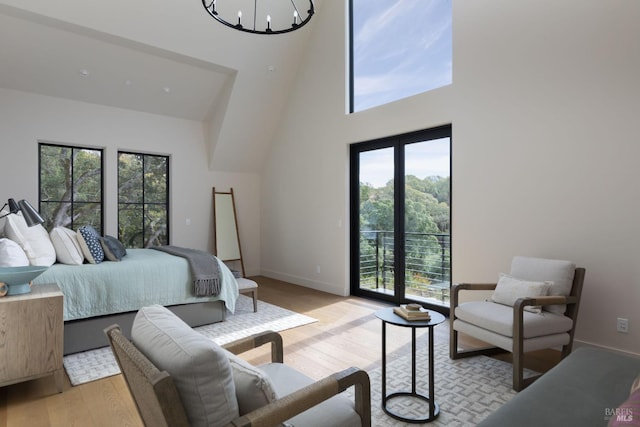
178,377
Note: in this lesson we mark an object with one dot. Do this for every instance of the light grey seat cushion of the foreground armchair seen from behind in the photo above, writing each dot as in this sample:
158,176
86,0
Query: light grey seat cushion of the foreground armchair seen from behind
336,411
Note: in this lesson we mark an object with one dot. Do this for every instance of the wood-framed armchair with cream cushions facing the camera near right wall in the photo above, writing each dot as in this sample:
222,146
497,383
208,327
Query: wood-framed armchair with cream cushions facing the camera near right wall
534,307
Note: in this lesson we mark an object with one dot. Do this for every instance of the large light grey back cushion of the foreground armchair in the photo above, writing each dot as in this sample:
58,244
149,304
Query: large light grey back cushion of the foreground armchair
199,367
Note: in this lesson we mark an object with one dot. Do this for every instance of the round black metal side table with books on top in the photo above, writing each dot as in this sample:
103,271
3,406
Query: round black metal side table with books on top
389,317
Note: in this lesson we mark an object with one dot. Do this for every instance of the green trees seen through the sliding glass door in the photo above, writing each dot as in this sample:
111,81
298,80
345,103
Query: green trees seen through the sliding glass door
427,243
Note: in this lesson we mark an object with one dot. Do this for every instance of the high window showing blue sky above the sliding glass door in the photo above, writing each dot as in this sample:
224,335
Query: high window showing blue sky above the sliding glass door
398,49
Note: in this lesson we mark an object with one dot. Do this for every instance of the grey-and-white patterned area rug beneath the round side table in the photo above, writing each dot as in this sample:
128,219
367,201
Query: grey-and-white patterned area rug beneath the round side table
467,390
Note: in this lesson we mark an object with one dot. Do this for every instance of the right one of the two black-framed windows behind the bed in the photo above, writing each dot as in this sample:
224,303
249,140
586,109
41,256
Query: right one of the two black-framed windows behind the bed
143,199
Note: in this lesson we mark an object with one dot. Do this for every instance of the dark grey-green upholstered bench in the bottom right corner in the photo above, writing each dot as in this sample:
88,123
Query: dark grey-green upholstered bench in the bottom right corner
590,387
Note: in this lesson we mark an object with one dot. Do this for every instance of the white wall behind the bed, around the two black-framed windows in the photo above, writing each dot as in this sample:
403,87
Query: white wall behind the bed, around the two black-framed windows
27,118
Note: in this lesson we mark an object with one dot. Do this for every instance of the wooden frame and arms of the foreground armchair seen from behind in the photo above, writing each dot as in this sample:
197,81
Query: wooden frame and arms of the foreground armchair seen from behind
159,404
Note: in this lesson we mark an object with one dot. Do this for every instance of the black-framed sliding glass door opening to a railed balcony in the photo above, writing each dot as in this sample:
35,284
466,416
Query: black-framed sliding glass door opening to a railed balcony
400,218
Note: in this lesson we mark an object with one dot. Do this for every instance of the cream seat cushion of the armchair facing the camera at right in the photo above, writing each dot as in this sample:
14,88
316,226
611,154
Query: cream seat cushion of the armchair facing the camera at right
499,319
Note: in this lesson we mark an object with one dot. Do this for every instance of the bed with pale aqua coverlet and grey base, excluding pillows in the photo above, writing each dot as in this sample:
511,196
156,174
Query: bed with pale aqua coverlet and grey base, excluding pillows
98,295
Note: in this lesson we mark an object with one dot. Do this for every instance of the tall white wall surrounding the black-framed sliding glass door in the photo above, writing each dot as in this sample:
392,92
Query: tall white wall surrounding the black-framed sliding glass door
544,108
